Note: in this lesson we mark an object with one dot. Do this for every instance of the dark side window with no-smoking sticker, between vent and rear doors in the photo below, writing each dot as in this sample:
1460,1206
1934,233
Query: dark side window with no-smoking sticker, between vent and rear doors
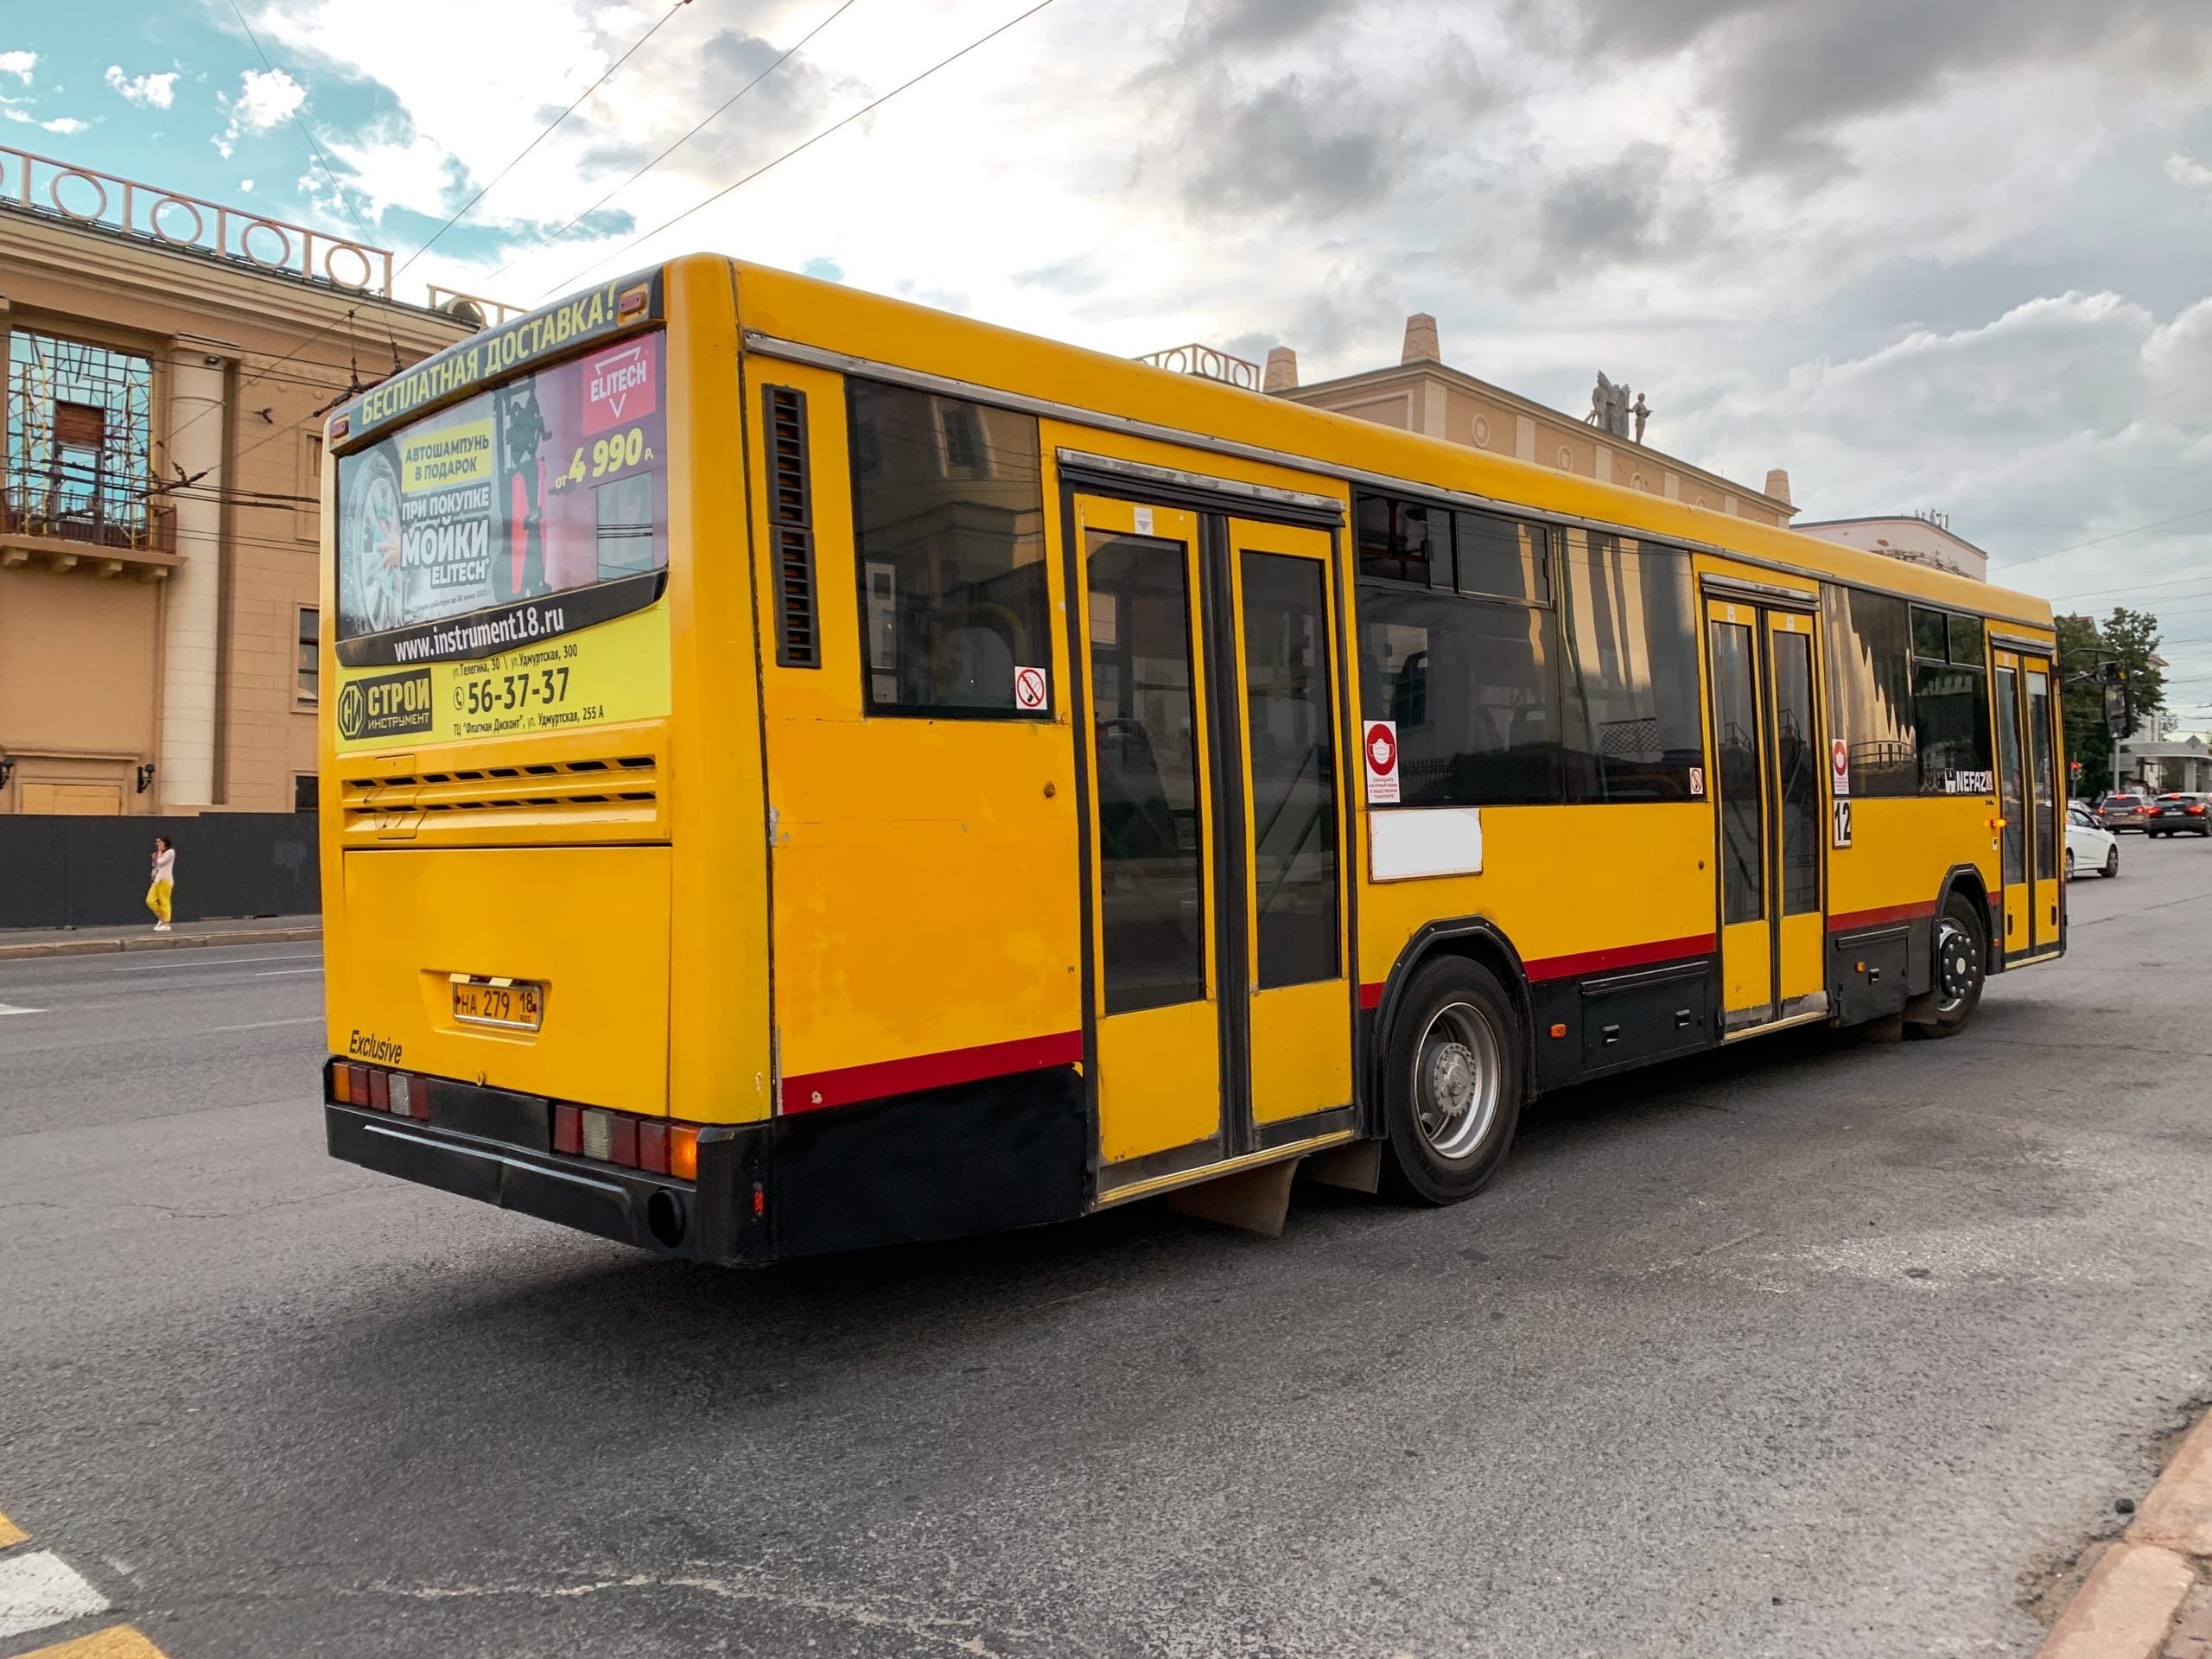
950,532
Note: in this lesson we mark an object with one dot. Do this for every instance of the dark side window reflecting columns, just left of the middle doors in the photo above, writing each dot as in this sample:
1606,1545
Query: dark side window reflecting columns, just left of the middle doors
1629,691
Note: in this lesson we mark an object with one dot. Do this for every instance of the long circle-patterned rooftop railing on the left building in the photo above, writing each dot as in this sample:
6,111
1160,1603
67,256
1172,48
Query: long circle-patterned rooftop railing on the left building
174,220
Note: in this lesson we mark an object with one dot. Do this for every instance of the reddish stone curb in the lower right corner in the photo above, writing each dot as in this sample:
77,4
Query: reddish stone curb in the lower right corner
2129,1603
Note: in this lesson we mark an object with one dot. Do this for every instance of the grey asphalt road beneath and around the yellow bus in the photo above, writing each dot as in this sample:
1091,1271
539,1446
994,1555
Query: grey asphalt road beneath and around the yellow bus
1817,1348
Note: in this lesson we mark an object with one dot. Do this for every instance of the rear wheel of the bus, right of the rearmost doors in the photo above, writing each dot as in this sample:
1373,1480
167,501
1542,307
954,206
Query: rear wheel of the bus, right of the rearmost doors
1452,1087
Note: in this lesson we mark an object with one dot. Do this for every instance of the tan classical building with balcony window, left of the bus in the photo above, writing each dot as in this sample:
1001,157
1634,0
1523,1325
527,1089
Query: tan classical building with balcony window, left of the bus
167,368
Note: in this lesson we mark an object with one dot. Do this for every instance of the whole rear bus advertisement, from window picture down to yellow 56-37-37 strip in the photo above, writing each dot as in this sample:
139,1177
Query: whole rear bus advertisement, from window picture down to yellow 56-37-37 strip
488,552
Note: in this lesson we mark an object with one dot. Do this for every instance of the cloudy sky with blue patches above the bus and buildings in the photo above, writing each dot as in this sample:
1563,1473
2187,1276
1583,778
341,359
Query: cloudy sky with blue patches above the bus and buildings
1921,253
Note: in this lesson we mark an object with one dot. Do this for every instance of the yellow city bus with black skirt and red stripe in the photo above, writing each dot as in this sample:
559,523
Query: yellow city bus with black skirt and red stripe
813,773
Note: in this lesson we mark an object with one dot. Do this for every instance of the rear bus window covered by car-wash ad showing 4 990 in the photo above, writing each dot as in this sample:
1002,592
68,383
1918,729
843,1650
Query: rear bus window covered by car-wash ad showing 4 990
545,486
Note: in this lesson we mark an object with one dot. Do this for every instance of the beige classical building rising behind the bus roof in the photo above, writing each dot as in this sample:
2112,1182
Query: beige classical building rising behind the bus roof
1430,397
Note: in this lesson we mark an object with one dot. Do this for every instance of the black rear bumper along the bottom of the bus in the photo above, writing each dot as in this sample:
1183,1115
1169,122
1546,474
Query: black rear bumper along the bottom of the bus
649,1211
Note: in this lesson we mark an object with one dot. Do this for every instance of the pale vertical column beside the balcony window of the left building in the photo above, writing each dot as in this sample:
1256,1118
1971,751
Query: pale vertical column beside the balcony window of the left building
194,601
